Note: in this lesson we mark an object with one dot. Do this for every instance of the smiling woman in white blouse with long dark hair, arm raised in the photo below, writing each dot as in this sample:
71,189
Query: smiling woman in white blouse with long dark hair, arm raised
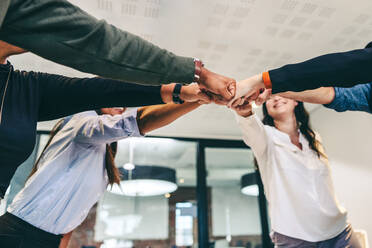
304,210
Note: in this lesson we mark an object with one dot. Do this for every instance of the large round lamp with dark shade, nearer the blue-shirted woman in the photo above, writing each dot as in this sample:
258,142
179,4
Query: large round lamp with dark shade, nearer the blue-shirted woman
146,180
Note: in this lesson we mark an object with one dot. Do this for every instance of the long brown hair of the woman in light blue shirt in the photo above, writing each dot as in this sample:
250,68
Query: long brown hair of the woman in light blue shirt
111,149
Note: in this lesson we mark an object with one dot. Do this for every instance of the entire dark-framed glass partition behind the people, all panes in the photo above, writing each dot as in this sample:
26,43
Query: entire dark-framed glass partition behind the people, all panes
170,218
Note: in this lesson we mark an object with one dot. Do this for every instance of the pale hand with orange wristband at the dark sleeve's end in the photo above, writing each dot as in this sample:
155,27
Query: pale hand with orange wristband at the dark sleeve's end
247,90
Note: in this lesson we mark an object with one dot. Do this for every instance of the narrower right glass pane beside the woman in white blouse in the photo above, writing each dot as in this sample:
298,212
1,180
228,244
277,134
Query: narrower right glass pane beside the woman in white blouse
235,215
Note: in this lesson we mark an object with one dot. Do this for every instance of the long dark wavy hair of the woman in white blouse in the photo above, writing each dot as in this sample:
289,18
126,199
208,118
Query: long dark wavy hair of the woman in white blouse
303,123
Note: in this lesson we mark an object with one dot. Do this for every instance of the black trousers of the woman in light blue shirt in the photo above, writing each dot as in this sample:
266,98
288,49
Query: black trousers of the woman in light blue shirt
16,233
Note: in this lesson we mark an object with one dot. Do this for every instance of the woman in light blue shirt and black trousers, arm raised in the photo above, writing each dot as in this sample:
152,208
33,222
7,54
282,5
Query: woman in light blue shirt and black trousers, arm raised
74,170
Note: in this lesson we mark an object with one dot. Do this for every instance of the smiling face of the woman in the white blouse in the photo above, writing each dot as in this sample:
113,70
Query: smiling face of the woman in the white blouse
279,107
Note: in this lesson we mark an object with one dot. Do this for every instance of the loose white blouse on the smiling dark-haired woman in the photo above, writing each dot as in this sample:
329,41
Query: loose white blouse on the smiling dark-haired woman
297,184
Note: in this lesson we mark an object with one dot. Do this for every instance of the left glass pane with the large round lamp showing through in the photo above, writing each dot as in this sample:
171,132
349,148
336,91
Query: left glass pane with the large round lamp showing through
144,217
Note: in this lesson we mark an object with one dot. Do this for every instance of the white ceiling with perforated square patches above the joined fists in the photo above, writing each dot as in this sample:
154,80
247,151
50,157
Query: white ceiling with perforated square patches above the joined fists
233,37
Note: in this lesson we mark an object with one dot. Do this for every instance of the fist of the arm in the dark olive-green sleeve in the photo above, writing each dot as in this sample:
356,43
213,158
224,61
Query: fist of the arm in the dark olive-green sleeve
217,84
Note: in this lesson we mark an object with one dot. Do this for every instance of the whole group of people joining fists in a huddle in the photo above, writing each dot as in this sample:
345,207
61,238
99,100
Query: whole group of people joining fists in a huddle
77,164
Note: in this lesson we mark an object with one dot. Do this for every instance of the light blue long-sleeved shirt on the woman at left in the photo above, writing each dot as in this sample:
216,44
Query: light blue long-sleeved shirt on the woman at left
71,175
